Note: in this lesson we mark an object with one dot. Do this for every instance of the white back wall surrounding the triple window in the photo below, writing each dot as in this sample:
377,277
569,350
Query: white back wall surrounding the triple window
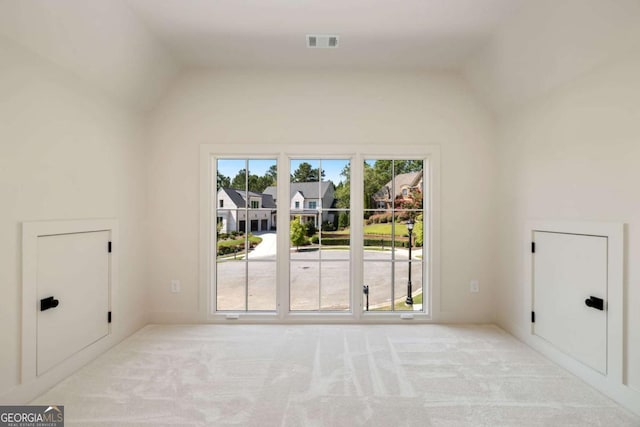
319,108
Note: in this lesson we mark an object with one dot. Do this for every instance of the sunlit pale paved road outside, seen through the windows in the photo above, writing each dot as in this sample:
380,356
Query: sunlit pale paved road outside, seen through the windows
312,286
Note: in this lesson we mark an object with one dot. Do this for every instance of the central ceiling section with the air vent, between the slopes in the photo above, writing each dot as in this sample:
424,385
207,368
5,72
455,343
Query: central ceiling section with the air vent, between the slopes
373,33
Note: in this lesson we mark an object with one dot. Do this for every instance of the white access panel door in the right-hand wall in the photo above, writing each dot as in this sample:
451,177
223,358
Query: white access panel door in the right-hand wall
569,269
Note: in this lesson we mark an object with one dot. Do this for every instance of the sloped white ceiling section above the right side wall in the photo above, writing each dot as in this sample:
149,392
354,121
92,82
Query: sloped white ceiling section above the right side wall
548,43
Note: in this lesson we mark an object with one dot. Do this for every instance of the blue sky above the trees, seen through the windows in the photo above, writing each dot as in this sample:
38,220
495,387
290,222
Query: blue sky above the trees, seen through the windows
332,168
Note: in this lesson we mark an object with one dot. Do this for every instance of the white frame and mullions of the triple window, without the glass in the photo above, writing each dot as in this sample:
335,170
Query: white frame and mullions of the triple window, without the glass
284,153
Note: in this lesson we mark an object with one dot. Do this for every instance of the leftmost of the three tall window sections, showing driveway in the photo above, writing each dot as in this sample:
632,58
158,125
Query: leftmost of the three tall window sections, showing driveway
245,241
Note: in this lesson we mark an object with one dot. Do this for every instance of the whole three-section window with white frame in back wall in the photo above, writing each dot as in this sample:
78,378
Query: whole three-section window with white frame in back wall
302,236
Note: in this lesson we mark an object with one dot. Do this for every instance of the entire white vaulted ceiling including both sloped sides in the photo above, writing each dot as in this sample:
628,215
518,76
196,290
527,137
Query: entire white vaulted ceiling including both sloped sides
509,50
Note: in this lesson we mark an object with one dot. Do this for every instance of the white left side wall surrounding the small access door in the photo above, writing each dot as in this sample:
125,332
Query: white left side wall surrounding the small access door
65,153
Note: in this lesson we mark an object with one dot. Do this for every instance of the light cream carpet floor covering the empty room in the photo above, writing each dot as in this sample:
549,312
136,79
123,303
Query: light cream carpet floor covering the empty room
328,375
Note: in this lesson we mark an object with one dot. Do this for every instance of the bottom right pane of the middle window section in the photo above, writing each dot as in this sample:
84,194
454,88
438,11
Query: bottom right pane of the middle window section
335,286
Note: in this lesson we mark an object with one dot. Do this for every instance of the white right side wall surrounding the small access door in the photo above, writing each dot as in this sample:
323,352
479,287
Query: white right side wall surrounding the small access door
574,155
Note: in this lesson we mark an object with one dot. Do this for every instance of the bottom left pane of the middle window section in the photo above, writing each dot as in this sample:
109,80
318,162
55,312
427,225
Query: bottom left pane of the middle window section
305,285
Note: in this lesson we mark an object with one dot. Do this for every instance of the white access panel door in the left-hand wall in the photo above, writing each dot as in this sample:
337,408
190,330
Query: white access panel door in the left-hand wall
74,269
